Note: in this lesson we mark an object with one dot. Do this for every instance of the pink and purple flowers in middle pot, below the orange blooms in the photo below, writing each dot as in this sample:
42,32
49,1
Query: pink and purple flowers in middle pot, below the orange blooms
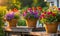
31,13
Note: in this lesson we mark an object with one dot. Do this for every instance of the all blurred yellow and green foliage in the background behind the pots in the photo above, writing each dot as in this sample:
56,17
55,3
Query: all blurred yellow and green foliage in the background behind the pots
20,5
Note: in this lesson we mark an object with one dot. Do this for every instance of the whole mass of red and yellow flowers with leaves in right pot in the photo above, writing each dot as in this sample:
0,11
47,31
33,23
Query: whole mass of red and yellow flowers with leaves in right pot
51,15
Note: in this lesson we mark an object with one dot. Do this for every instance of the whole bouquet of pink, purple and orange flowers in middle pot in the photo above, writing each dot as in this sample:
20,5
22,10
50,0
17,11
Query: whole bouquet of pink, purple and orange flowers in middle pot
31,13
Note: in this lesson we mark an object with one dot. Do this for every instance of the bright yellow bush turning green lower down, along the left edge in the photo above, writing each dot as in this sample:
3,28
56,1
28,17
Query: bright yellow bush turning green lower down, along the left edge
2,13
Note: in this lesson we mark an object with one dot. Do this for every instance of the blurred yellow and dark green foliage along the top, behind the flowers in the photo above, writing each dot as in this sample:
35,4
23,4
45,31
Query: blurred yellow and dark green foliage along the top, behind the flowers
20,4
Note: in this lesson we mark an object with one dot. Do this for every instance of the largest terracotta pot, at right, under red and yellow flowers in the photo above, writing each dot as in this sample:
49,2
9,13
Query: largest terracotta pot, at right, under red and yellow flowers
51,28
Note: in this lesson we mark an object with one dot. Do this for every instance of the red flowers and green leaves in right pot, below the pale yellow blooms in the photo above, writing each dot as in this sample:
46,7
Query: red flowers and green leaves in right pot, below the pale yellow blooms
48,17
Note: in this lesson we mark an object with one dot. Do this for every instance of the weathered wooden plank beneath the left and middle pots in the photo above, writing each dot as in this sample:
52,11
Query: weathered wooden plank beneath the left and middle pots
18,29
